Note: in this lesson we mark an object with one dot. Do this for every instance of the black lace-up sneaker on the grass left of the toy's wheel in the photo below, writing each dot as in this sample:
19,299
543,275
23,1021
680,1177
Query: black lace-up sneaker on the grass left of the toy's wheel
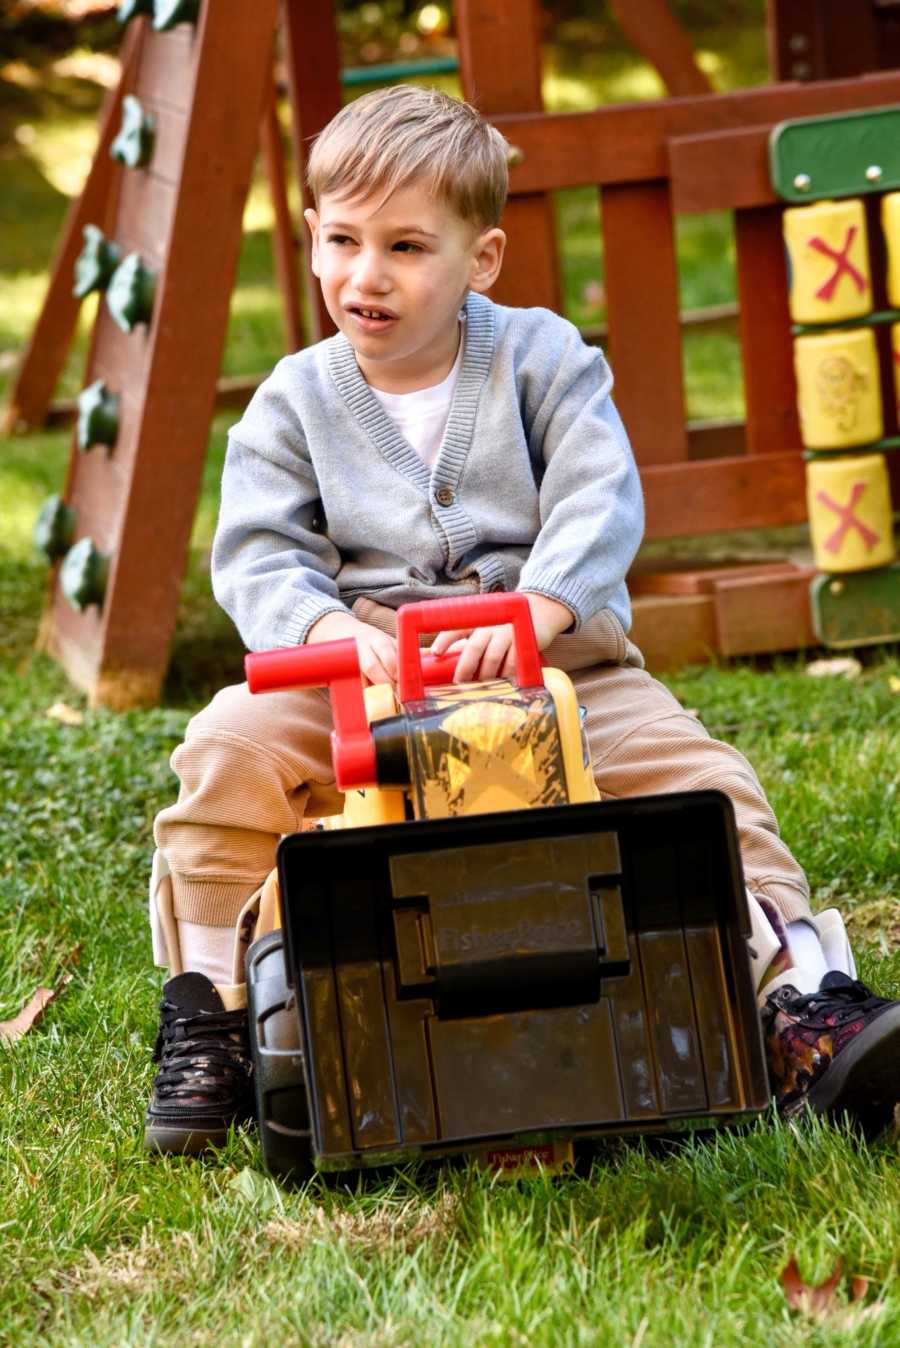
204,1079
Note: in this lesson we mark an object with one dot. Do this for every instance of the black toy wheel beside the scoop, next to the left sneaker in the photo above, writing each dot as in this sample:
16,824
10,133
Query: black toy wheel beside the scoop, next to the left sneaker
280,1079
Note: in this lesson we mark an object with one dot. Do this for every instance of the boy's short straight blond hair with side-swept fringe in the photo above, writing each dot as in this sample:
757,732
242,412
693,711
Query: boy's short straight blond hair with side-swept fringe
394,137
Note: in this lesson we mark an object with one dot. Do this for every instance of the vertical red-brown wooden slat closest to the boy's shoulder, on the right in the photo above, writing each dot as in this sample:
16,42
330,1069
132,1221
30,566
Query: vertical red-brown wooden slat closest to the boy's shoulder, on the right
642,297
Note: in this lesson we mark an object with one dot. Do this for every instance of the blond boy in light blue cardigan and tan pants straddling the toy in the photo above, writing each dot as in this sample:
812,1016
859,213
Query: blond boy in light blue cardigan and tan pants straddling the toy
440,446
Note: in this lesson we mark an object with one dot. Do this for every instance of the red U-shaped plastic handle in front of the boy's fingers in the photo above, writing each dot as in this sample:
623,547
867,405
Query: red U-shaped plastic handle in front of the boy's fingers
441,615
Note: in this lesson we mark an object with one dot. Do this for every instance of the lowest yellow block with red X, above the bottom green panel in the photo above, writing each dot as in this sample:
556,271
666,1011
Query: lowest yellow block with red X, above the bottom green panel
849,502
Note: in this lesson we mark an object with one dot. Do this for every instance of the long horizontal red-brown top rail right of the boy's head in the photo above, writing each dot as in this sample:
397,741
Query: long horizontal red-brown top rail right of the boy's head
630,142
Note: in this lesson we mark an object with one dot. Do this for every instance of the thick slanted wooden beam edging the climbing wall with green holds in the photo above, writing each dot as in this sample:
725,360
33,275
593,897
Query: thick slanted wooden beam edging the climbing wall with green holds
142,501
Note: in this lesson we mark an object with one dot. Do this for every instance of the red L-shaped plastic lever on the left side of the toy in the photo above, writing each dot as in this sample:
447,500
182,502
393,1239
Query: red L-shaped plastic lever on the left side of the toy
333,665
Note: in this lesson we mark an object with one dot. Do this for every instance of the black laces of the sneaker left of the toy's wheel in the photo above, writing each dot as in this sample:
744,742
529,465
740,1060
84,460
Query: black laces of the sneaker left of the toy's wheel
199,1055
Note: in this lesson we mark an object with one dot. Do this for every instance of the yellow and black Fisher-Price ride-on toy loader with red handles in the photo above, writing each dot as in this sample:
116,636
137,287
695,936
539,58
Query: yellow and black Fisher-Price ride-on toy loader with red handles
480,956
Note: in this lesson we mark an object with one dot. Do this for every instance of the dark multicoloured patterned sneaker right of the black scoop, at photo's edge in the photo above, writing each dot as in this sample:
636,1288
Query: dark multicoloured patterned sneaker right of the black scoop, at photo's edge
836,1051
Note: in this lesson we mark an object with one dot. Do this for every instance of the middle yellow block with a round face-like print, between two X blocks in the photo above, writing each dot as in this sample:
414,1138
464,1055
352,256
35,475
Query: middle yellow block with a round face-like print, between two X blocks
839,389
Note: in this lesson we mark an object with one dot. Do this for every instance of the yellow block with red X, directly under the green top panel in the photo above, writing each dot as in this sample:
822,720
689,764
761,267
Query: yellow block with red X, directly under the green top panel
829,262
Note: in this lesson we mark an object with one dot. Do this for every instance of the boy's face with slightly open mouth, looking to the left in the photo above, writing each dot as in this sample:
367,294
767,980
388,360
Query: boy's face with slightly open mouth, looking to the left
395,276
